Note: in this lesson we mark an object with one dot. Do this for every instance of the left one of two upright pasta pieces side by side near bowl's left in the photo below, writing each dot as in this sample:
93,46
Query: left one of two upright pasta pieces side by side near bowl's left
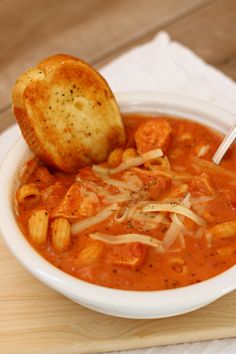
38,226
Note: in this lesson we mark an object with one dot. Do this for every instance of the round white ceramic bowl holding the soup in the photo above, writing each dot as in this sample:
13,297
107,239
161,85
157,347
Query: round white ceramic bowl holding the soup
123,303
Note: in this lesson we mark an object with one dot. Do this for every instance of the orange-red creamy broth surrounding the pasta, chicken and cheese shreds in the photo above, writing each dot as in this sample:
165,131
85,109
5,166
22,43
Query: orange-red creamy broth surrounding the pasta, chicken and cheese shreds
136,266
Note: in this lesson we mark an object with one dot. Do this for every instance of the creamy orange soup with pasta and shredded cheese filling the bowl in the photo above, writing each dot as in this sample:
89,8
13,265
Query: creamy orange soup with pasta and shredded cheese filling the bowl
157,215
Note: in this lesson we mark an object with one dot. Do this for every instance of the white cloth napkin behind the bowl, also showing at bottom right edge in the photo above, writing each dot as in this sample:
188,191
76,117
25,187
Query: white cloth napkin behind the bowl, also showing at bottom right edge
167,66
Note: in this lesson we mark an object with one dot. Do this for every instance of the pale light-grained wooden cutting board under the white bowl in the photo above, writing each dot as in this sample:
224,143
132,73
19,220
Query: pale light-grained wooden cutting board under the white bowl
36,319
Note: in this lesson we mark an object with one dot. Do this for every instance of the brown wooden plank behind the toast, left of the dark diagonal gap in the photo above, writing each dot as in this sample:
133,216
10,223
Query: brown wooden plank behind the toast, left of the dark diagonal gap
90,29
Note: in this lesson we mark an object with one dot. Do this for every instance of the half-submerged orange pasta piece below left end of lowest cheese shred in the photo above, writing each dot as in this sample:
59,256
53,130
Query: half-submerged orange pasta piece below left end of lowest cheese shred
91,252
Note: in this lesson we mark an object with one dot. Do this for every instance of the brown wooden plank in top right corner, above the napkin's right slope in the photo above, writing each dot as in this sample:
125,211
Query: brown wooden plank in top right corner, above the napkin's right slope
210,32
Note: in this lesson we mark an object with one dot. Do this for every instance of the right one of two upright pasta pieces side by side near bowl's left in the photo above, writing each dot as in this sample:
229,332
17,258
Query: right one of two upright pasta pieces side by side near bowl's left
60,234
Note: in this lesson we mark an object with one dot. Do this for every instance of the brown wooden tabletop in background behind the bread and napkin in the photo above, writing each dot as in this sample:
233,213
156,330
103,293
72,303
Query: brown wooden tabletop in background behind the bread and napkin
99,30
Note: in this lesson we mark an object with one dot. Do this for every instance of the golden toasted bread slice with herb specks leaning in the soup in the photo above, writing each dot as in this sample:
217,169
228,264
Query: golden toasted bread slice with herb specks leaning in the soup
67,113
